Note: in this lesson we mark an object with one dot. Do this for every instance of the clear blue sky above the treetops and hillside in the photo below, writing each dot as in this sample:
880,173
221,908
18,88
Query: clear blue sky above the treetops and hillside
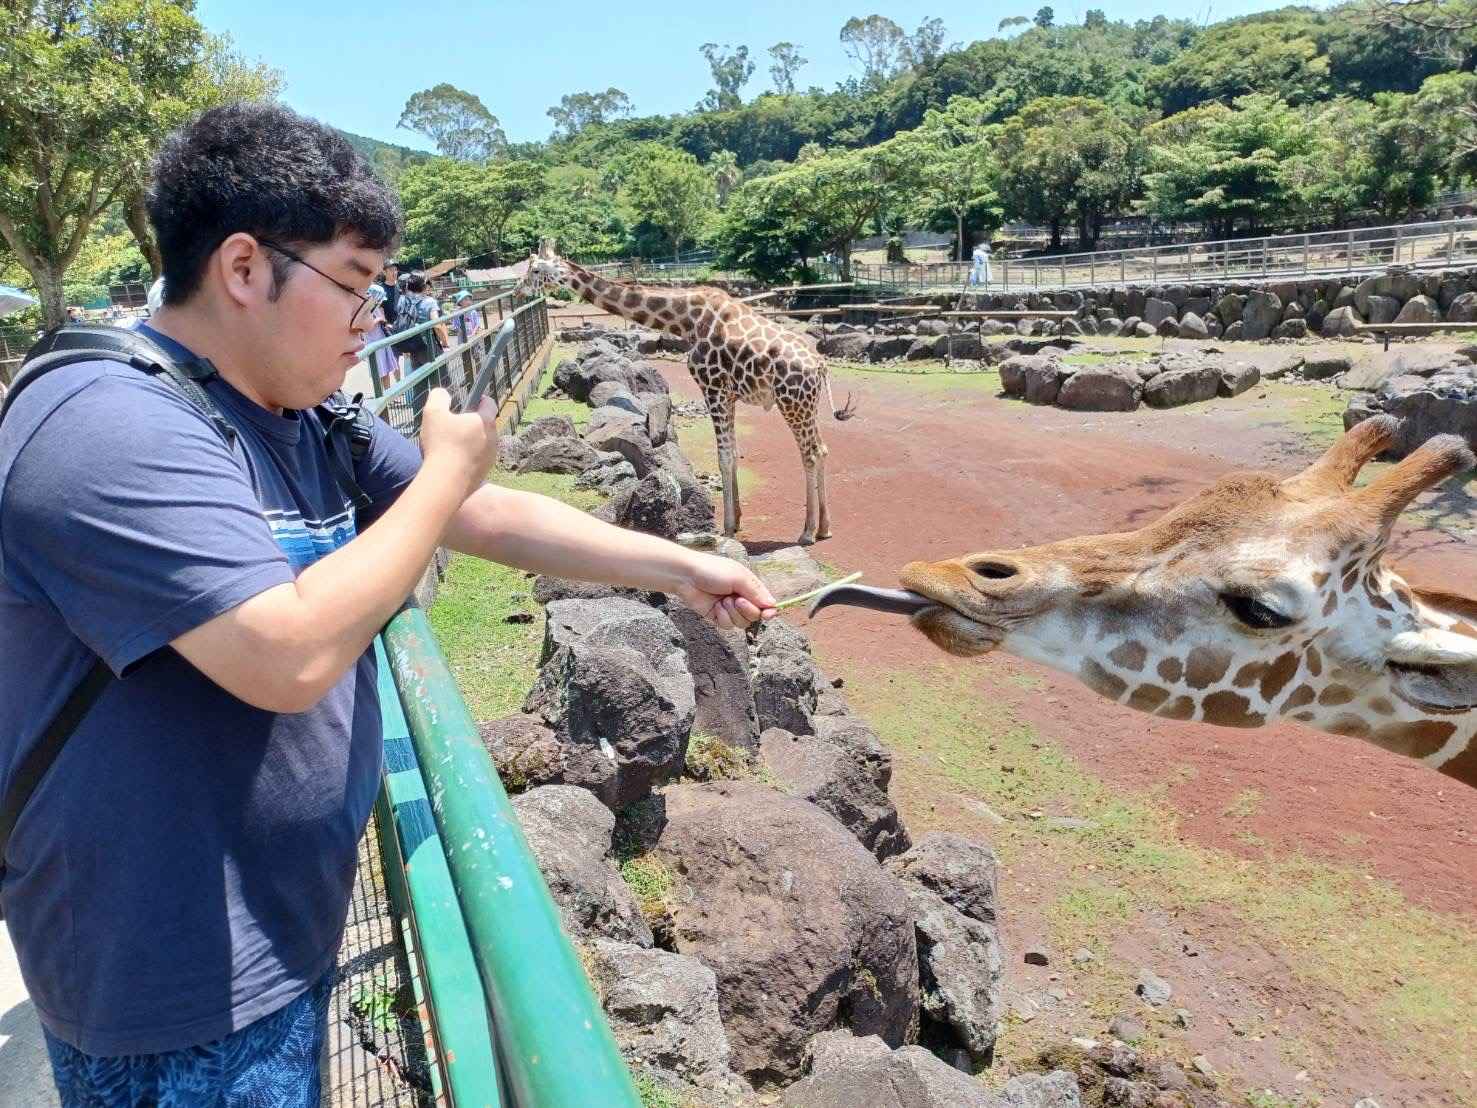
355,66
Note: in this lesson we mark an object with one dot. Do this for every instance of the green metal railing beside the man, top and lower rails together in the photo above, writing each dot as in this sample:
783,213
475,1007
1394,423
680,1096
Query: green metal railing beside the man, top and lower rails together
501,977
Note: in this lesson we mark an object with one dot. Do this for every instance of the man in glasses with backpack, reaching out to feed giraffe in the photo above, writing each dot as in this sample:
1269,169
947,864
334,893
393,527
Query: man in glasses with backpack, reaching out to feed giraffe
194,564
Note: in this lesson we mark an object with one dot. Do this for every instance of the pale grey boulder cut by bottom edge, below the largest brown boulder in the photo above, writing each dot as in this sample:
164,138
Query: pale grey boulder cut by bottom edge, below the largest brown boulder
847,1072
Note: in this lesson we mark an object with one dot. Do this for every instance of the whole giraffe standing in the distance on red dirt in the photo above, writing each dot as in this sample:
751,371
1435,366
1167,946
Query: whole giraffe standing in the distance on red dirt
738,355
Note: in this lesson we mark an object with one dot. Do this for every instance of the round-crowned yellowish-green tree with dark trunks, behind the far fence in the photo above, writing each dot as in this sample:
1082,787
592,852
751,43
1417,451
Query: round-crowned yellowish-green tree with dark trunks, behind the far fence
1066,157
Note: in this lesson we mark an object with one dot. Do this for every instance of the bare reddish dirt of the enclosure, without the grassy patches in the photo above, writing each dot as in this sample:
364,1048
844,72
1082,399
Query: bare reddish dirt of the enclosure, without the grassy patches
927,473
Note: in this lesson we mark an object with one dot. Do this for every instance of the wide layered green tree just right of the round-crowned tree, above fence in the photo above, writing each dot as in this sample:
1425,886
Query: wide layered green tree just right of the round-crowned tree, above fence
1227,165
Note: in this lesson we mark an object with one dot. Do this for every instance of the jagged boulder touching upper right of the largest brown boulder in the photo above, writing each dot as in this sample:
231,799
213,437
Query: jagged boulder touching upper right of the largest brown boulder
844,770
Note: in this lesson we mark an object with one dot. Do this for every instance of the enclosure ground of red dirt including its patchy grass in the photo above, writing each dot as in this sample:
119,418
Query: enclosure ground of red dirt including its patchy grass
1314,900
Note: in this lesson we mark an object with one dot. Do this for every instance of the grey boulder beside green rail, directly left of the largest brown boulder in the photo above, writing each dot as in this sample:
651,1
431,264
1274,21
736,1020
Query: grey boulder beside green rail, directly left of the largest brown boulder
569,832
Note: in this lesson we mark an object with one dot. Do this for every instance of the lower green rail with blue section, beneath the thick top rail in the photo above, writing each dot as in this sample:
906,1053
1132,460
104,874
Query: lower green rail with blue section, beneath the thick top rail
422,889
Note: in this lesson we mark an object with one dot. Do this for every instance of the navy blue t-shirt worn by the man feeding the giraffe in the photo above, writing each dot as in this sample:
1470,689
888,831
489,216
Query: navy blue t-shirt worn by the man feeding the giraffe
187,865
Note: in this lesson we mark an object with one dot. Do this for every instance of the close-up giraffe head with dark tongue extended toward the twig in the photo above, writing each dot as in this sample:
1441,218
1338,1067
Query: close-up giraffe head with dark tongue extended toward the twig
1259,598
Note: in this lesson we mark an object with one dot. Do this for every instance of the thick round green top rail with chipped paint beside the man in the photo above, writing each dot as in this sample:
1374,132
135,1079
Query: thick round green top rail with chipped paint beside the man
556,1047
